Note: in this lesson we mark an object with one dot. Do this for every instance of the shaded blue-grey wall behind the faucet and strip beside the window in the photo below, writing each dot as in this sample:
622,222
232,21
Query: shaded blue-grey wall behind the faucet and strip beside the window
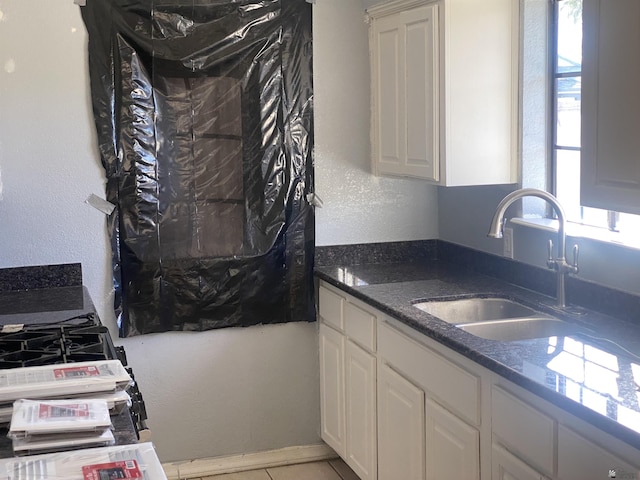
465,213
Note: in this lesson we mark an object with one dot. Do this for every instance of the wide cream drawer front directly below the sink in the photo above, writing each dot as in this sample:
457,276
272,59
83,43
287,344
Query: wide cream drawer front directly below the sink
450,384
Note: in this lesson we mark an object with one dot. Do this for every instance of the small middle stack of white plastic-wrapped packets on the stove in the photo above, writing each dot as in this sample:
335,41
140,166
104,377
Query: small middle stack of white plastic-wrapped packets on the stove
54,425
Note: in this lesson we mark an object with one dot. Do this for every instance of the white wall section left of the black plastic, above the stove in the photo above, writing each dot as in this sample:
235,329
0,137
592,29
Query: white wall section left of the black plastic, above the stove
47,152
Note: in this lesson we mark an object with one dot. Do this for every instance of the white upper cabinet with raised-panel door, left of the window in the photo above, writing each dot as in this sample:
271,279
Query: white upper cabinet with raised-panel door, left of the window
445,90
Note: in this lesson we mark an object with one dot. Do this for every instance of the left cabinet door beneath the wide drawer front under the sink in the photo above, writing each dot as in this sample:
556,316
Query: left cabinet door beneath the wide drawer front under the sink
401,444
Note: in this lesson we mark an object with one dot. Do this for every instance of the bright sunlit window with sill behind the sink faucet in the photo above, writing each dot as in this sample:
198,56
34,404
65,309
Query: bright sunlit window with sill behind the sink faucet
566,124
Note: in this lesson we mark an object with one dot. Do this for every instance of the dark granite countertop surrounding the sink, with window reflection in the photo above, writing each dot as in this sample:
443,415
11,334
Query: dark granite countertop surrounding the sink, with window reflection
593,378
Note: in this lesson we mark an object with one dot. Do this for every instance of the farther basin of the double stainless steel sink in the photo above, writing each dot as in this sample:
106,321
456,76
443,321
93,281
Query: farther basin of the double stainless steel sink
467,310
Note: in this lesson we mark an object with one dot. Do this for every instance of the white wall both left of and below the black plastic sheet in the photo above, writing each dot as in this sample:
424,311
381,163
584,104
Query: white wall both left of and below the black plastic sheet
208,394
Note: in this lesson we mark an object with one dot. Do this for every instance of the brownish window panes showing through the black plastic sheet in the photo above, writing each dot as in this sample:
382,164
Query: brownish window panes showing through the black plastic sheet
201,167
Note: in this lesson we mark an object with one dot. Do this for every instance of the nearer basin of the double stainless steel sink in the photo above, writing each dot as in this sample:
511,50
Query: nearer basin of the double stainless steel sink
521,328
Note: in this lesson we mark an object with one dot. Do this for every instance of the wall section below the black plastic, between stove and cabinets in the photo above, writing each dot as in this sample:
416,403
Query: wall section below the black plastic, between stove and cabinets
229,391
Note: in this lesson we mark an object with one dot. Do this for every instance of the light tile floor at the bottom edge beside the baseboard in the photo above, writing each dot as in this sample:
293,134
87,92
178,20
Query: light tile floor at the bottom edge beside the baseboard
329,470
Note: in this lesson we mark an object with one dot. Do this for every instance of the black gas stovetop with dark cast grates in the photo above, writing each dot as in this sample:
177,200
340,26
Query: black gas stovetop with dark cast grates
48,344
